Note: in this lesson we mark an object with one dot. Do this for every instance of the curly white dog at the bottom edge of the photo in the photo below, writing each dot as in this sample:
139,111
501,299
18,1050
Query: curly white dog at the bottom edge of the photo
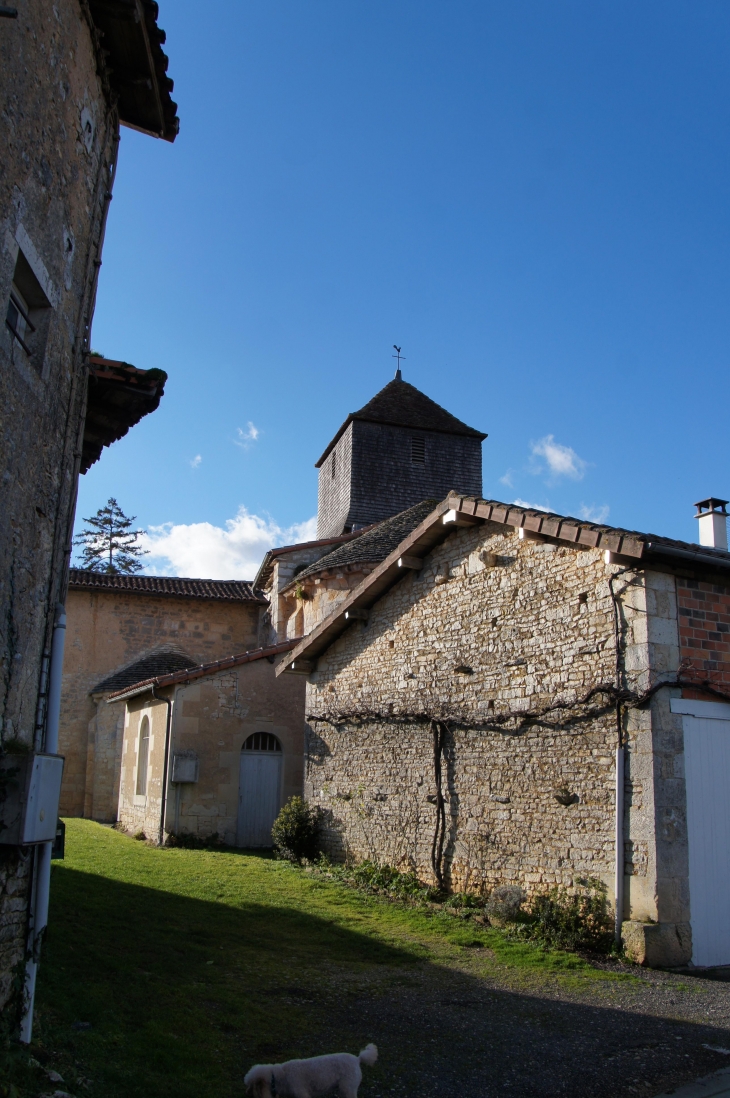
310,1079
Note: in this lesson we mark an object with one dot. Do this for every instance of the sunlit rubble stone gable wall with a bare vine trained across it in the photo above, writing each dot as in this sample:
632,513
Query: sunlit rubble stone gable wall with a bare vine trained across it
470,643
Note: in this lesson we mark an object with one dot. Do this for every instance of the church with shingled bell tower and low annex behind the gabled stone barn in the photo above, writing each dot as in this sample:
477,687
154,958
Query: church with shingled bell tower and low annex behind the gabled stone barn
207,647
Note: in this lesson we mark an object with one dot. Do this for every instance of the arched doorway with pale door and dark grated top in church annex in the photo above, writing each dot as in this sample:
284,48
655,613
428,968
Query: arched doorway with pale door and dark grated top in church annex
260,789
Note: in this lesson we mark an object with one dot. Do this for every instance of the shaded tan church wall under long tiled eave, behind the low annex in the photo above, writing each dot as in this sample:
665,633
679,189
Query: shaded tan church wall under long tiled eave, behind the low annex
108,631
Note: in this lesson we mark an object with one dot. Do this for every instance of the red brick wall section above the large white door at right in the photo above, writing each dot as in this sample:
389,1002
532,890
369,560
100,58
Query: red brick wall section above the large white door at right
704,611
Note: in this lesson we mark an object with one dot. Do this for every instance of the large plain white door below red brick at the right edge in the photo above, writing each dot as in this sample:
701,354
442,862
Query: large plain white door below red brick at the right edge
707,770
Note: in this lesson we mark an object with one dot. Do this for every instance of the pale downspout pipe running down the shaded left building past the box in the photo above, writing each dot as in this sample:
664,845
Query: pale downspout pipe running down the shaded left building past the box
39,920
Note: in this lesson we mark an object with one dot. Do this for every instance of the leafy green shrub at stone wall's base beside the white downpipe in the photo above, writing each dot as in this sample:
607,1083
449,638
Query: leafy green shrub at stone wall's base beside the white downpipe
571,921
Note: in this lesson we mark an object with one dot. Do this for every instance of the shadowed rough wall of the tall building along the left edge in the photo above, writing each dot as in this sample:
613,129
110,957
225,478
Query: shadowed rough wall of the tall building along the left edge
59,139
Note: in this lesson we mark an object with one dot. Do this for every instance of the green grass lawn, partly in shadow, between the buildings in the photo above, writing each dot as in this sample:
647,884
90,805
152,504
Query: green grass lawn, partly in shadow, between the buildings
171,972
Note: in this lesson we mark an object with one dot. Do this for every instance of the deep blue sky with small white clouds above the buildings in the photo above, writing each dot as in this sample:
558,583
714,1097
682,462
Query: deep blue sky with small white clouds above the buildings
531,198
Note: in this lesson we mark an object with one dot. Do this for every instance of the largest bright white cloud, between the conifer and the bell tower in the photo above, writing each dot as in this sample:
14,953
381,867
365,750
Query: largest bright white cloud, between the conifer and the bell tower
233,552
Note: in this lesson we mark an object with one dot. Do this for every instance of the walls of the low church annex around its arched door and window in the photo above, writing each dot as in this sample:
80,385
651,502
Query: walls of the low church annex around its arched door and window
212,720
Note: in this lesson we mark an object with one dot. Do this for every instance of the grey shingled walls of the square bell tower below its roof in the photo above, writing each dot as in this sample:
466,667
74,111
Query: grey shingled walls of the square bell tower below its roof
376,476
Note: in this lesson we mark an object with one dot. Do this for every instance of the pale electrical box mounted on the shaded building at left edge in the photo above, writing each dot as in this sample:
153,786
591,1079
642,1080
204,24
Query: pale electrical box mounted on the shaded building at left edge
30,792
